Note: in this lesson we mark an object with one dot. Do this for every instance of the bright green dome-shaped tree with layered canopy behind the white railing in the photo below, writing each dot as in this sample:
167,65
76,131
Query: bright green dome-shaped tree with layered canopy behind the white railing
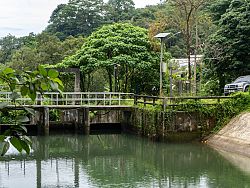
124,52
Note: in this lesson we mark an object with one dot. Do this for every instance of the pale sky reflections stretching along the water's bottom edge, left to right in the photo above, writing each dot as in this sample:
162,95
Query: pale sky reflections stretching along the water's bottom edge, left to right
61,173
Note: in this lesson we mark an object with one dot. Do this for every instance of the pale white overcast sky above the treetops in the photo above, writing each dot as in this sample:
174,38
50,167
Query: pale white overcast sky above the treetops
20,17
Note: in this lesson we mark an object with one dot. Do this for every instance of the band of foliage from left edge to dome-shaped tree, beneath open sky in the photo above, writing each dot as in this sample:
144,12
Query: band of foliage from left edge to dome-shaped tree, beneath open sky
33,50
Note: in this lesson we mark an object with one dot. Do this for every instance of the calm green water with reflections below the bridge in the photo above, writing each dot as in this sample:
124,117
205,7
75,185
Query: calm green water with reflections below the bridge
121,161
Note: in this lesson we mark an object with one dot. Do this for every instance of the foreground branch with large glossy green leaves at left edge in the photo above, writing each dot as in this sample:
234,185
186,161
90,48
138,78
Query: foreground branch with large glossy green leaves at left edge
23,84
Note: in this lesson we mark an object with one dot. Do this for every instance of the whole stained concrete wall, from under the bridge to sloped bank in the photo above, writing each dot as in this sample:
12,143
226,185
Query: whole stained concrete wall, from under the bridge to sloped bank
171,126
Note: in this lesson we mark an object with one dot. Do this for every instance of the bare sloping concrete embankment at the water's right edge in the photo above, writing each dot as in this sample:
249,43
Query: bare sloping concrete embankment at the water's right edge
234,137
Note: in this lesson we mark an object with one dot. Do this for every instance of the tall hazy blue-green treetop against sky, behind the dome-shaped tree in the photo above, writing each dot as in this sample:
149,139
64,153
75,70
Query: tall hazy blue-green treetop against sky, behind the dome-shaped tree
76,17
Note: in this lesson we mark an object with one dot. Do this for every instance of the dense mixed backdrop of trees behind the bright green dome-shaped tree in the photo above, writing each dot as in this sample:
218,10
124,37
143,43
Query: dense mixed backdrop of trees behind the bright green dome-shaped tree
216,28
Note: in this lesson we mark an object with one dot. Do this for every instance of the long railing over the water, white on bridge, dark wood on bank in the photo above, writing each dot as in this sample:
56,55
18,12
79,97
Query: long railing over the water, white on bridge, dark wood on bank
108,99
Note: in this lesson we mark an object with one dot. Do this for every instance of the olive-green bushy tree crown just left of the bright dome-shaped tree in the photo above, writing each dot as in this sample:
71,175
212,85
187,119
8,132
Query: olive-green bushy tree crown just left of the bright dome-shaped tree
44,49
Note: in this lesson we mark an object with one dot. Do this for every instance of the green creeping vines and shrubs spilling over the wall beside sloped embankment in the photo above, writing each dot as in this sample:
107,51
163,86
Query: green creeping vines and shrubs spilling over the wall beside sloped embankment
218,113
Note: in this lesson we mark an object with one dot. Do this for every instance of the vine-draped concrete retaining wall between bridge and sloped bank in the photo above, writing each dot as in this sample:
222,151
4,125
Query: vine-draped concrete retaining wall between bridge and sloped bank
169,126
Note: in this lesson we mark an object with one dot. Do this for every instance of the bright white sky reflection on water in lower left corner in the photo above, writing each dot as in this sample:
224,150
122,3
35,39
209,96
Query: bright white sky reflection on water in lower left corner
54,173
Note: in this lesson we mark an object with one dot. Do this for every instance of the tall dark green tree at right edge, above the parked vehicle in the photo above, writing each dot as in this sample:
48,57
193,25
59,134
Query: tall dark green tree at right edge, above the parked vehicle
227,53
